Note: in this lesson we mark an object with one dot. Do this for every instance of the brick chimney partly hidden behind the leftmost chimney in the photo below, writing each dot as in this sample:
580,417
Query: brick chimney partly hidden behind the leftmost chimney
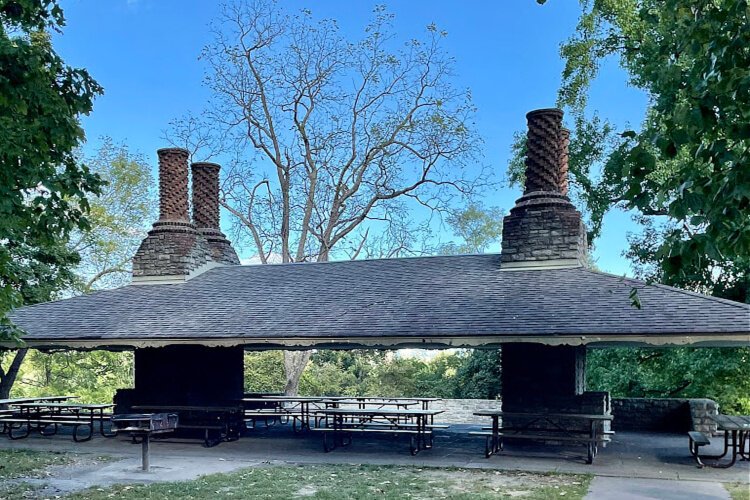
206,212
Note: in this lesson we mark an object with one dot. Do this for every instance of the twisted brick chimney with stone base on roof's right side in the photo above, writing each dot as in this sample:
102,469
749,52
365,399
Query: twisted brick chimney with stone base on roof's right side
544,230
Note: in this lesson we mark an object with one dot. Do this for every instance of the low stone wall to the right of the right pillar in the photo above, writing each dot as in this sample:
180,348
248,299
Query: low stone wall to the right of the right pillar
664,415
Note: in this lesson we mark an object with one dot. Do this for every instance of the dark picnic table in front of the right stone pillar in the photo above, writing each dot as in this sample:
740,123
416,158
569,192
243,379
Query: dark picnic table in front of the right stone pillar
550,427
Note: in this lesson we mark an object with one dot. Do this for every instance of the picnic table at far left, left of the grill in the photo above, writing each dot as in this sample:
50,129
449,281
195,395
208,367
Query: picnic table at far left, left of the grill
43,415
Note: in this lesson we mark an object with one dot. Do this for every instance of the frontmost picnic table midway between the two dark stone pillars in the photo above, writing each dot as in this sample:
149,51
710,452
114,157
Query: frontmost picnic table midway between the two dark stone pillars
342,422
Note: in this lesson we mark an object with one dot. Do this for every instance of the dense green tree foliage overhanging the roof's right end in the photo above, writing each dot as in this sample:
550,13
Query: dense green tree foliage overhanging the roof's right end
689,165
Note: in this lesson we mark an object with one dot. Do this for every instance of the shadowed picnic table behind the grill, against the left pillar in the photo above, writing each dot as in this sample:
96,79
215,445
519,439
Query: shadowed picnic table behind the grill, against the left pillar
219,423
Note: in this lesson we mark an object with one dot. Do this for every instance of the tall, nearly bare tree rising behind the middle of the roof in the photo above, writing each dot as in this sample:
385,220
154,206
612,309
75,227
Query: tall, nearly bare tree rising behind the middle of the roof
330,143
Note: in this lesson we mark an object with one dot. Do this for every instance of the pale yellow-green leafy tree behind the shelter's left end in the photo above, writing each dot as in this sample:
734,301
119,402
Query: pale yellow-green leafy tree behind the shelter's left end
118,216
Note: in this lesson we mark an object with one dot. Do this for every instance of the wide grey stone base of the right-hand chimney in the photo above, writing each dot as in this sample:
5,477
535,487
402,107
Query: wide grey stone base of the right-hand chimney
543,229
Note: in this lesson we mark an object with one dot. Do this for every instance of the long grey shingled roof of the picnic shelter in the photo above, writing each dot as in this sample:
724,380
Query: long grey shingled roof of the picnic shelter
427,301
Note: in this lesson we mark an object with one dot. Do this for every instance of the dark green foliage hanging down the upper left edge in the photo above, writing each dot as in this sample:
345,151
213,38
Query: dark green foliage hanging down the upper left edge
42,186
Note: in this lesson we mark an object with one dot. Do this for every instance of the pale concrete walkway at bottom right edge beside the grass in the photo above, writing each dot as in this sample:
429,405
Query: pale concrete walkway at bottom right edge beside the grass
619,488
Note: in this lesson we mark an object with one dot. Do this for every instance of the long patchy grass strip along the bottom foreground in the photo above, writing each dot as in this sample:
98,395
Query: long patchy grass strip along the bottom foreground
356,481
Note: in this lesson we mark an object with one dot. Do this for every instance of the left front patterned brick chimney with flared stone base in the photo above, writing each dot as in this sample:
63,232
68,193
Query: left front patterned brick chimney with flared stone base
174,250
